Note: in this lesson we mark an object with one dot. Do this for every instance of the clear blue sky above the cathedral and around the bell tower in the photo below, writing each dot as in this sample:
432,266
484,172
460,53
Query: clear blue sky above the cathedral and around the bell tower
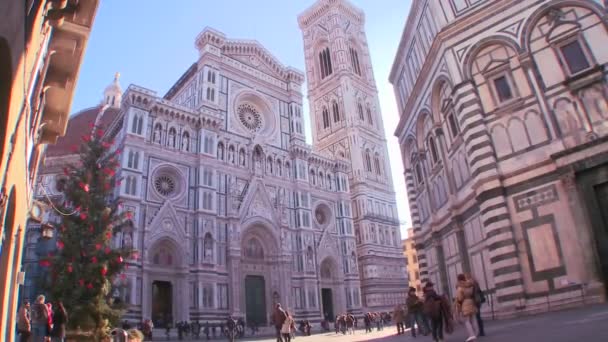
151,43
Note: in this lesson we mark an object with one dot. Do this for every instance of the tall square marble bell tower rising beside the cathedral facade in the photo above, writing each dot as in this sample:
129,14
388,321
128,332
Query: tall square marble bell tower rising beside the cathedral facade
347,124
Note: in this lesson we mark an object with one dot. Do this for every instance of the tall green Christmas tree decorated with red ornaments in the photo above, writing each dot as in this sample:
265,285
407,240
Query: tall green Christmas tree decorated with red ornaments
85,265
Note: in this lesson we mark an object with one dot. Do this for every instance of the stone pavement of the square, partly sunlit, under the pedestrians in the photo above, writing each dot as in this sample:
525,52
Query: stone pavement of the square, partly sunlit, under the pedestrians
589,324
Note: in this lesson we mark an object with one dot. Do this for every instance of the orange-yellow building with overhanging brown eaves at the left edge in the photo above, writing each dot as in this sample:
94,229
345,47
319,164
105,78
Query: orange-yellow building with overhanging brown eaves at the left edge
42,43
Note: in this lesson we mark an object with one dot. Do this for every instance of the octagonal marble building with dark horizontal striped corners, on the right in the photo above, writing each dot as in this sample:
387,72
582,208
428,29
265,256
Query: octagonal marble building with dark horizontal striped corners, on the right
504,138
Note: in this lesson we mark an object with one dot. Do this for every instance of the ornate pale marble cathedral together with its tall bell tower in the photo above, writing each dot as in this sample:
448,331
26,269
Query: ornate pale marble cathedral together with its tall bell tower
232,210
